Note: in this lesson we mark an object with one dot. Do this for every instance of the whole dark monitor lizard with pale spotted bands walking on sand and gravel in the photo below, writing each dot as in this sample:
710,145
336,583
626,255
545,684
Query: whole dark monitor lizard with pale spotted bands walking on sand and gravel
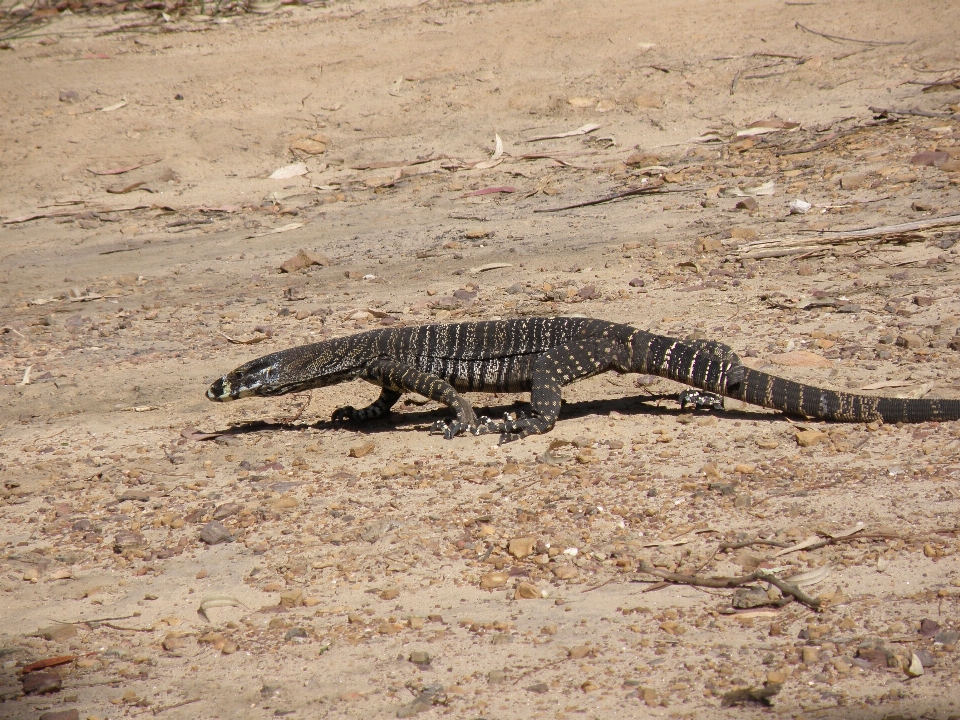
540,356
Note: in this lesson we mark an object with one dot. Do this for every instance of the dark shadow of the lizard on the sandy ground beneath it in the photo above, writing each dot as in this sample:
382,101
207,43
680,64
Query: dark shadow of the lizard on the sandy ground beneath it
413,421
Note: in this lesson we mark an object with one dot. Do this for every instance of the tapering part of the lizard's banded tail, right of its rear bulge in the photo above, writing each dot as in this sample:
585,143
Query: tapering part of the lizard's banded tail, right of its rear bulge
760,388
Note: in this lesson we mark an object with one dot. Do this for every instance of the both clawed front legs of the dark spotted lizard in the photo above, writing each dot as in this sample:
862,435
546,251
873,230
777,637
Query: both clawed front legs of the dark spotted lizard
396,378
